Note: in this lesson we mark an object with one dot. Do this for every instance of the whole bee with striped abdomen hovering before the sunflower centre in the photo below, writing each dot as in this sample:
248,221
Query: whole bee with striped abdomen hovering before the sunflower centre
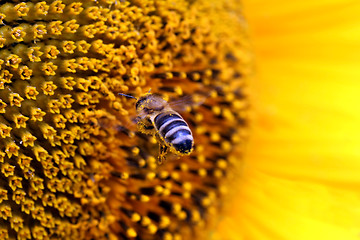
156,117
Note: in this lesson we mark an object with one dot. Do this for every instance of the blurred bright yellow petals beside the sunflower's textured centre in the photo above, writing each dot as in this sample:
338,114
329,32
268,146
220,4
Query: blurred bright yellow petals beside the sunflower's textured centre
300,178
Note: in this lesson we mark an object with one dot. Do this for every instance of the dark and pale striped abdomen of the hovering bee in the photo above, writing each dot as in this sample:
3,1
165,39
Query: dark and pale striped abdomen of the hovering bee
175,131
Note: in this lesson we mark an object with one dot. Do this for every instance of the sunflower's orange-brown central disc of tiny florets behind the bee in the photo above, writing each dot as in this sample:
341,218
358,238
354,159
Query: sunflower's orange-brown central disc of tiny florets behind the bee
73,163
